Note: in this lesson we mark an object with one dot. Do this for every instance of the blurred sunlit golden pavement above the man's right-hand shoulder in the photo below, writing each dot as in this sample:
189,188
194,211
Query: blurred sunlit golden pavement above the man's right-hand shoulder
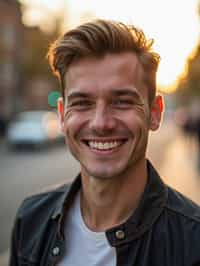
179,169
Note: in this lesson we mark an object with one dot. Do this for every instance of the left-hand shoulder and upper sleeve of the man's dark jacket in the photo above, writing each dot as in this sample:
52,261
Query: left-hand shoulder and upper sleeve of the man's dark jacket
35,216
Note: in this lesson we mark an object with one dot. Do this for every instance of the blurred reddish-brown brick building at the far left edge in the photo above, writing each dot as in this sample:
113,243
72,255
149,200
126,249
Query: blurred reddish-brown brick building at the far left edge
11,49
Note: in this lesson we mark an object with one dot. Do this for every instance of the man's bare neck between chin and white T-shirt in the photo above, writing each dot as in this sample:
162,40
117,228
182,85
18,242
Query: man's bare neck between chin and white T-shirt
107,203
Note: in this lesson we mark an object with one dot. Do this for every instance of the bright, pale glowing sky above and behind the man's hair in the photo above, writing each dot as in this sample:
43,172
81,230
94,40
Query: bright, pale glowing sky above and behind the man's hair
174,25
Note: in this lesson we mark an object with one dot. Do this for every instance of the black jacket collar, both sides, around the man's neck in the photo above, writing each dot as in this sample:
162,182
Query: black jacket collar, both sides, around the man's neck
149,209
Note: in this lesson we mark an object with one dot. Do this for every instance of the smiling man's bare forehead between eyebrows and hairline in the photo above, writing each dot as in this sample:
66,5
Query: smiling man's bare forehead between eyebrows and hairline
111,71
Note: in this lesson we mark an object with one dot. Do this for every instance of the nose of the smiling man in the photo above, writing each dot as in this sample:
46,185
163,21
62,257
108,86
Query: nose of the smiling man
102,120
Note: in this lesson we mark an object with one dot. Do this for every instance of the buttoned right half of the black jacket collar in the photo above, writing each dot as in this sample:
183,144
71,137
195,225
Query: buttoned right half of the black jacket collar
151,205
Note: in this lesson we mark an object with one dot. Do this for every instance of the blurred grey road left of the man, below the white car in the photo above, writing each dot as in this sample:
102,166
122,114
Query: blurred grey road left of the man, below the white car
25,173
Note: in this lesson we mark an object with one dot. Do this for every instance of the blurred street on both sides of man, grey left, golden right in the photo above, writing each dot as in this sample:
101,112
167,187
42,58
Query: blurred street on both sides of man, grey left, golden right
25,173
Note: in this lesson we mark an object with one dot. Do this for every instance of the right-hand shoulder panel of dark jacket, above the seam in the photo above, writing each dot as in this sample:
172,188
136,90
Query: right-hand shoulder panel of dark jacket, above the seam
182,207
